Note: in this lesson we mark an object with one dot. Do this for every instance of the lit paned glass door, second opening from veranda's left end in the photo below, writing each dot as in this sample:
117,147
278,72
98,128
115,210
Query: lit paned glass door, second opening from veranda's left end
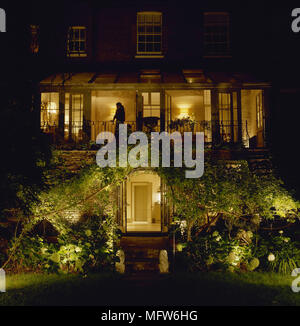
73,116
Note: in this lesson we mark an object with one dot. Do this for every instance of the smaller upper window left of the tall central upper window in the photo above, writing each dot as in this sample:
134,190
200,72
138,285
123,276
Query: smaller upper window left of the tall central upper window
76,43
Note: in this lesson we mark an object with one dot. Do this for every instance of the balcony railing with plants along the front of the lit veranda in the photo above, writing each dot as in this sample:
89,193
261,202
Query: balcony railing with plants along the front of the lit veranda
78,133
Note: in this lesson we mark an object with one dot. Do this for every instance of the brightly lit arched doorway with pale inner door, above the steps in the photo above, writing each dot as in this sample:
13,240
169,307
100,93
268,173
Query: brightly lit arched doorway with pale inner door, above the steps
142,204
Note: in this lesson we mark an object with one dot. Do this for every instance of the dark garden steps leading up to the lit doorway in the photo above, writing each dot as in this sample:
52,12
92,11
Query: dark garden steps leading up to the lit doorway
142,253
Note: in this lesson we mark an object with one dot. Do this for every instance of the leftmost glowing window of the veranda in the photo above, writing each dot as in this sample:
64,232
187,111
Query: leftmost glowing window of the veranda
49,112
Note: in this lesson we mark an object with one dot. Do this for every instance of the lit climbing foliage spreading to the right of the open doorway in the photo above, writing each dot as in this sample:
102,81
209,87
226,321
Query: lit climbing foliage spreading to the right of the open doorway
230,192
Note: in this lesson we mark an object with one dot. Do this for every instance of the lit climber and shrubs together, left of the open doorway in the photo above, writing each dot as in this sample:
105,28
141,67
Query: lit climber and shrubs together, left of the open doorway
82,210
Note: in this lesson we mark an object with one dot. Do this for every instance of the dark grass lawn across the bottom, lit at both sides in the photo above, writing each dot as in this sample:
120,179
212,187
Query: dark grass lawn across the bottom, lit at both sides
201,289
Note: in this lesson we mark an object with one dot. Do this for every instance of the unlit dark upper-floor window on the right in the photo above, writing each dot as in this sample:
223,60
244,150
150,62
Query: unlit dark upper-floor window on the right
216,34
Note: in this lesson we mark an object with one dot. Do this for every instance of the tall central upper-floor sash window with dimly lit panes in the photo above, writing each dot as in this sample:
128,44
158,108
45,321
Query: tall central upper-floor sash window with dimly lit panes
149,33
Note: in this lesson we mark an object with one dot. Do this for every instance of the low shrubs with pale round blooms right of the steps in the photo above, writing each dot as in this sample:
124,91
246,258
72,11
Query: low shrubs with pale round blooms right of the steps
215,251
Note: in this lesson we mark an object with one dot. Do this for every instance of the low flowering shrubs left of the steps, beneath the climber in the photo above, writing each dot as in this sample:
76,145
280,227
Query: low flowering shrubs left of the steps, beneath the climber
85,246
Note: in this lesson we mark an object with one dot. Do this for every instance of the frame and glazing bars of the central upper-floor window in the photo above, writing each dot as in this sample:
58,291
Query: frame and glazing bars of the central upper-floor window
156,54
